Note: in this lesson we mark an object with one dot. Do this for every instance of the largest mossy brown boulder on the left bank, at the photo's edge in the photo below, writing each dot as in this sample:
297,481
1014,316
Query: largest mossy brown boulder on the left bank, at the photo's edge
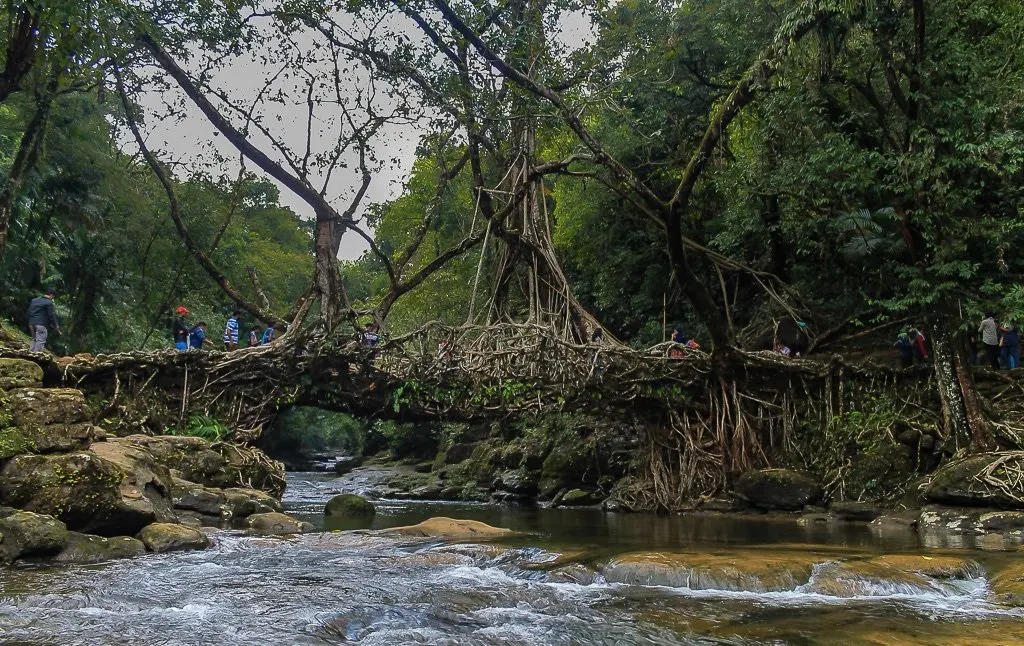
112,490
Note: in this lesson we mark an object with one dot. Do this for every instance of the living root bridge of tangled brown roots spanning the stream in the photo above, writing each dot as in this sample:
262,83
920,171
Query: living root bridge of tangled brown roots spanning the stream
704,422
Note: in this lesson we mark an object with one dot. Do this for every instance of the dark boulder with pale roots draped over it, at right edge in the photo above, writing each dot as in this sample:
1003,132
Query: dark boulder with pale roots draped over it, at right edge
980,481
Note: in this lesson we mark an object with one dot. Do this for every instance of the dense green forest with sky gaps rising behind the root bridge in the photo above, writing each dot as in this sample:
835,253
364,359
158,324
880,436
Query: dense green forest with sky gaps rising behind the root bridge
870,169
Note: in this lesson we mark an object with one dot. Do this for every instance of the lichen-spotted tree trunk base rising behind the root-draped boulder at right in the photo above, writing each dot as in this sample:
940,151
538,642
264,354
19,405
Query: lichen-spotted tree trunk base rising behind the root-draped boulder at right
962,414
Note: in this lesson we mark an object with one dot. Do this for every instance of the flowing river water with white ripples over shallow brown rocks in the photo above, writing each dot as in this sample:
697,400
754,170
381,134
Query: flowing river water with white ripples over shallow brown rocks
358,588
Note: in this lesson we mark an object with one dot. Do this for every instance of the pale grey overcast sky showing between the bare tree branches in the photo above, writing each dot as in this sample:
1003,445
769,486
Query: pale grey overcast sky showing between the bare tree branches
193,142
